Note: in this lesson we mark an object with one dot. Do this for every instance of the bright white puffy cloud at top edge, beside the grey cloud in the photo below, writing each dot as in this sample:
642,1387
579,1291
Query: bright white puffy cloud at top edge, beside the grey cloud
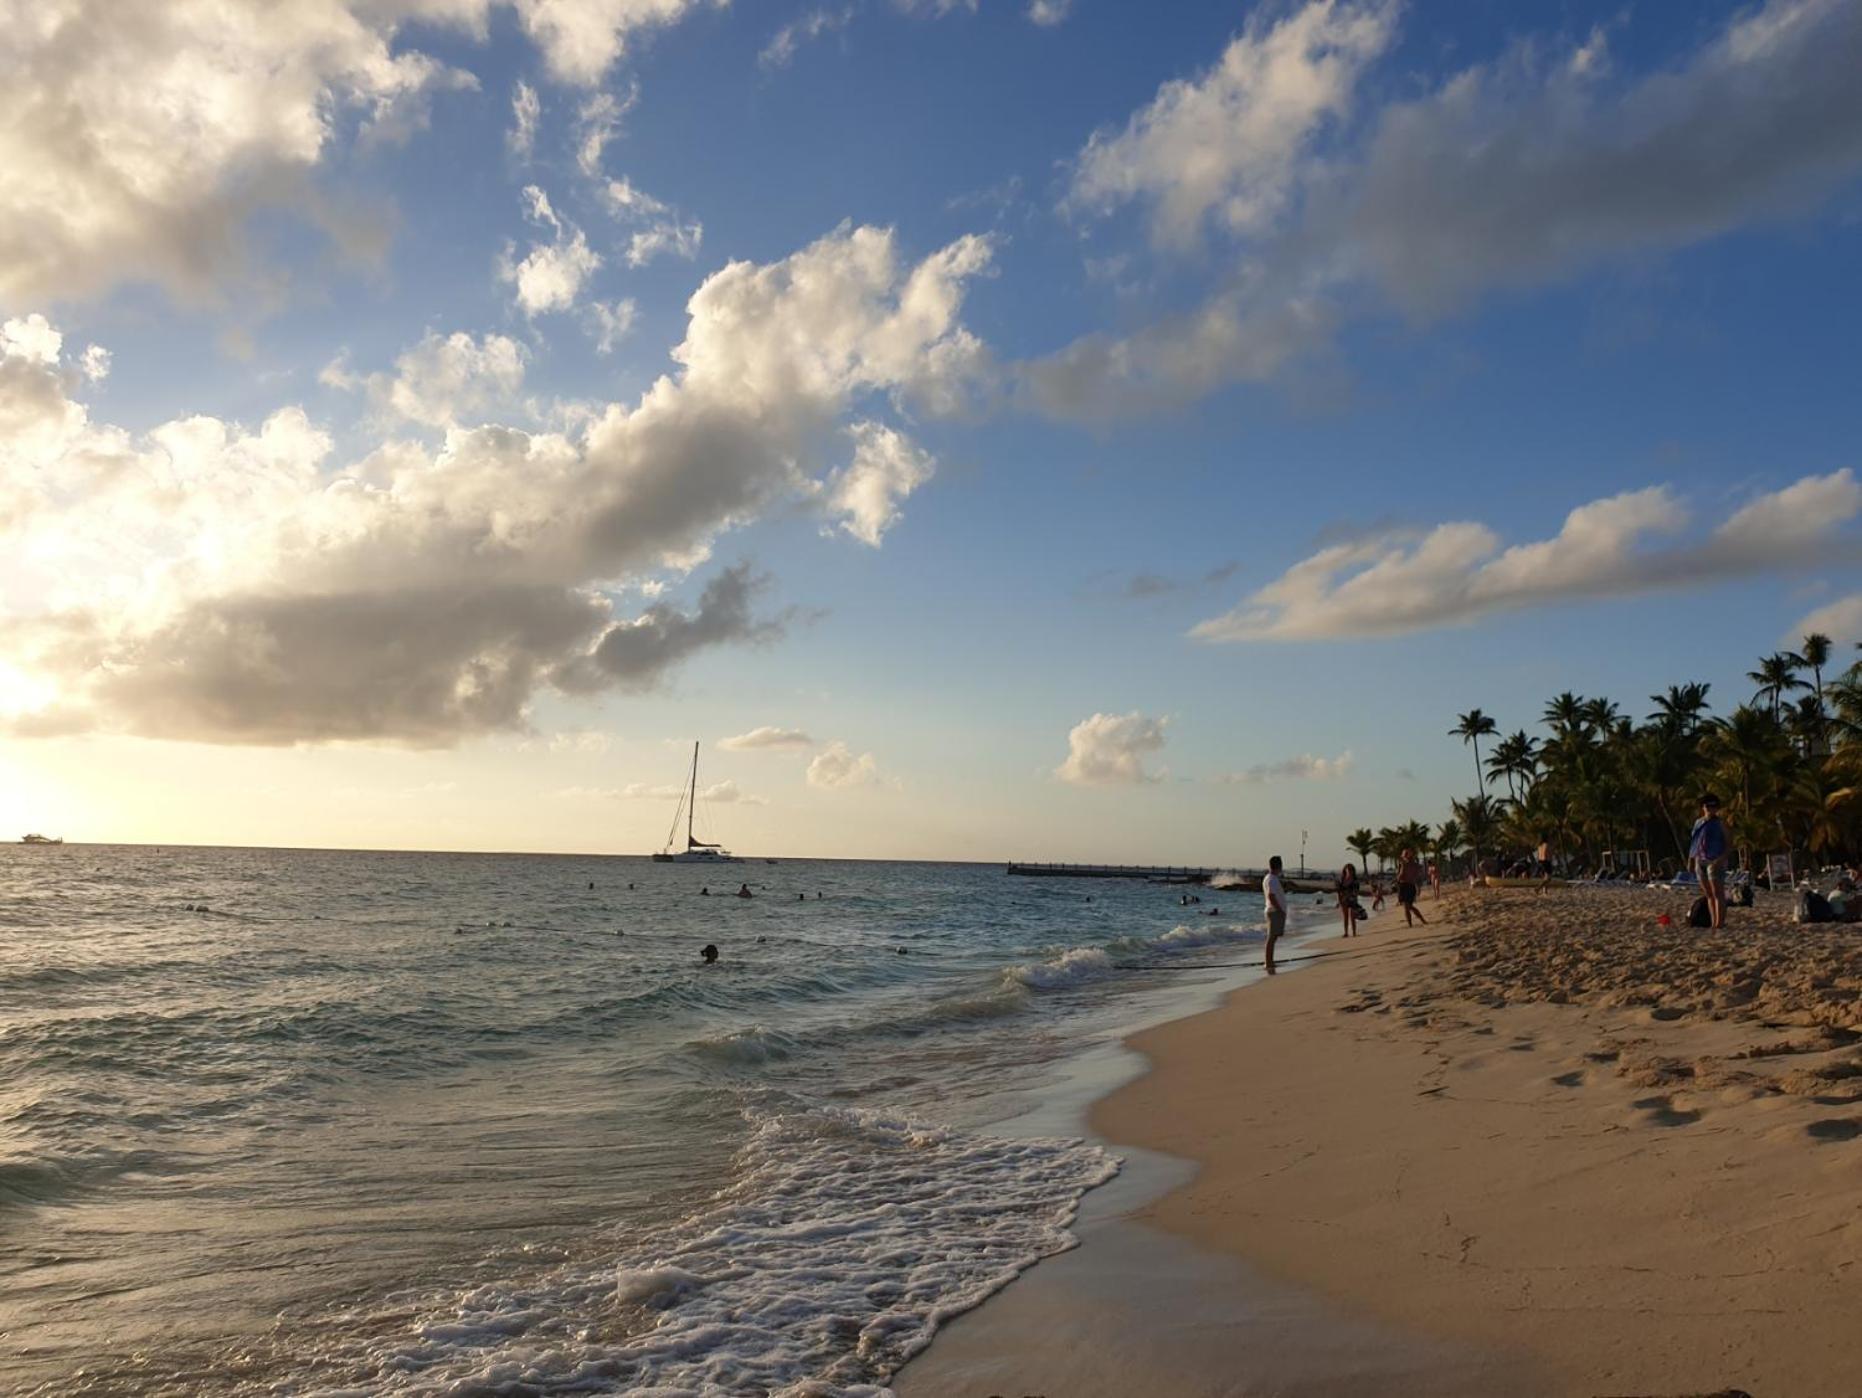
1228,146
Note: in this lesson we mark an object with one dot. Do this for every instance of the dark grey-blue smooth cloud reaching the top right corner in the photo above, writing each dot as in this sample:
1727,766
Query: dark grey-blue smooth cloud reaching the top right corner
1530,168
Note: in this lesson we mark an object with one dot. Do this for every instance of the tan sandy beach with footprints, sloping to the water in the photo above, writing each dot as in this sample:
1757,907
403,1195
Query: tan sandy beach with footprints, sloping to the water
1576,1151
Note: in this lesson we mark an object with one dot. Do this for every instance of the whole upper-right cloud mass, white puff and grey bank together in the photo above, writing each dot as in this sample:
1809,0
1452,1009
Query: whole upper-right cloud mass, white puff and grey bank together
1515,172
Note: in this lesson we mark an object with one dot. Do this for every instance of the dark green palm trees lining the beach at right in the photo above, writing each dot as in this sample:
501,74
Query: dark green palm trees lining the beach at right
1787,764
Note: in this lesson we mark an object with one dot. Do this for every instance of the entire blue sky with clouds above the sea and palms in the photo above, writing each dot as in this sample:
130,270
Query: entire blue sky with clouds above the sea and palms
993,429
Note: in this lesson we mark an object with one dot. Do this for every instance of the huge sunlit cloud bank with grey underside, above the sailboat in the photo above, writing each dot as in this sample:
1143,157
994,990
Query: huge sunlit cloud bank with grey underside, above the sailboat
224,584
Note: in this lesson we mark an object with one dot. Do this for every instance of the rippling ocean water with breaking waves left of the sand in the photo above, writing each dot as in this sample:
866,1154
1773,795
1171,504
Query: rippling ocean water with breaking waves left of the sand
394,1123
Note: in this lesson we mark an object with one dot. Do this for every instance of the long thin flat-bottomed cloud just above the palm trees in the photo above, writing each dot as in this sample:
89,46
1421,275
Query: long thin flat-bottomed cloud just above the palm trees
1396,582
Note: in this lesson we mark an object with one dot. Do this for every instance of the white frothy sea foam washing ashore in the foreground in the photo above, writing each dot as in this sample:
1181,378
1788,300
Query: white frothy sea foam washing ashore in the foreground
844,1243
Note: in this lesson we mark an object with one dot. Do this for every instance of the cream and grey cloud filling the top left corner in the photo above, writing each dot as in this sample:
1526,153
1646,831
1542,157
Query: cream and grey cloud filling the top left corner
139,139
